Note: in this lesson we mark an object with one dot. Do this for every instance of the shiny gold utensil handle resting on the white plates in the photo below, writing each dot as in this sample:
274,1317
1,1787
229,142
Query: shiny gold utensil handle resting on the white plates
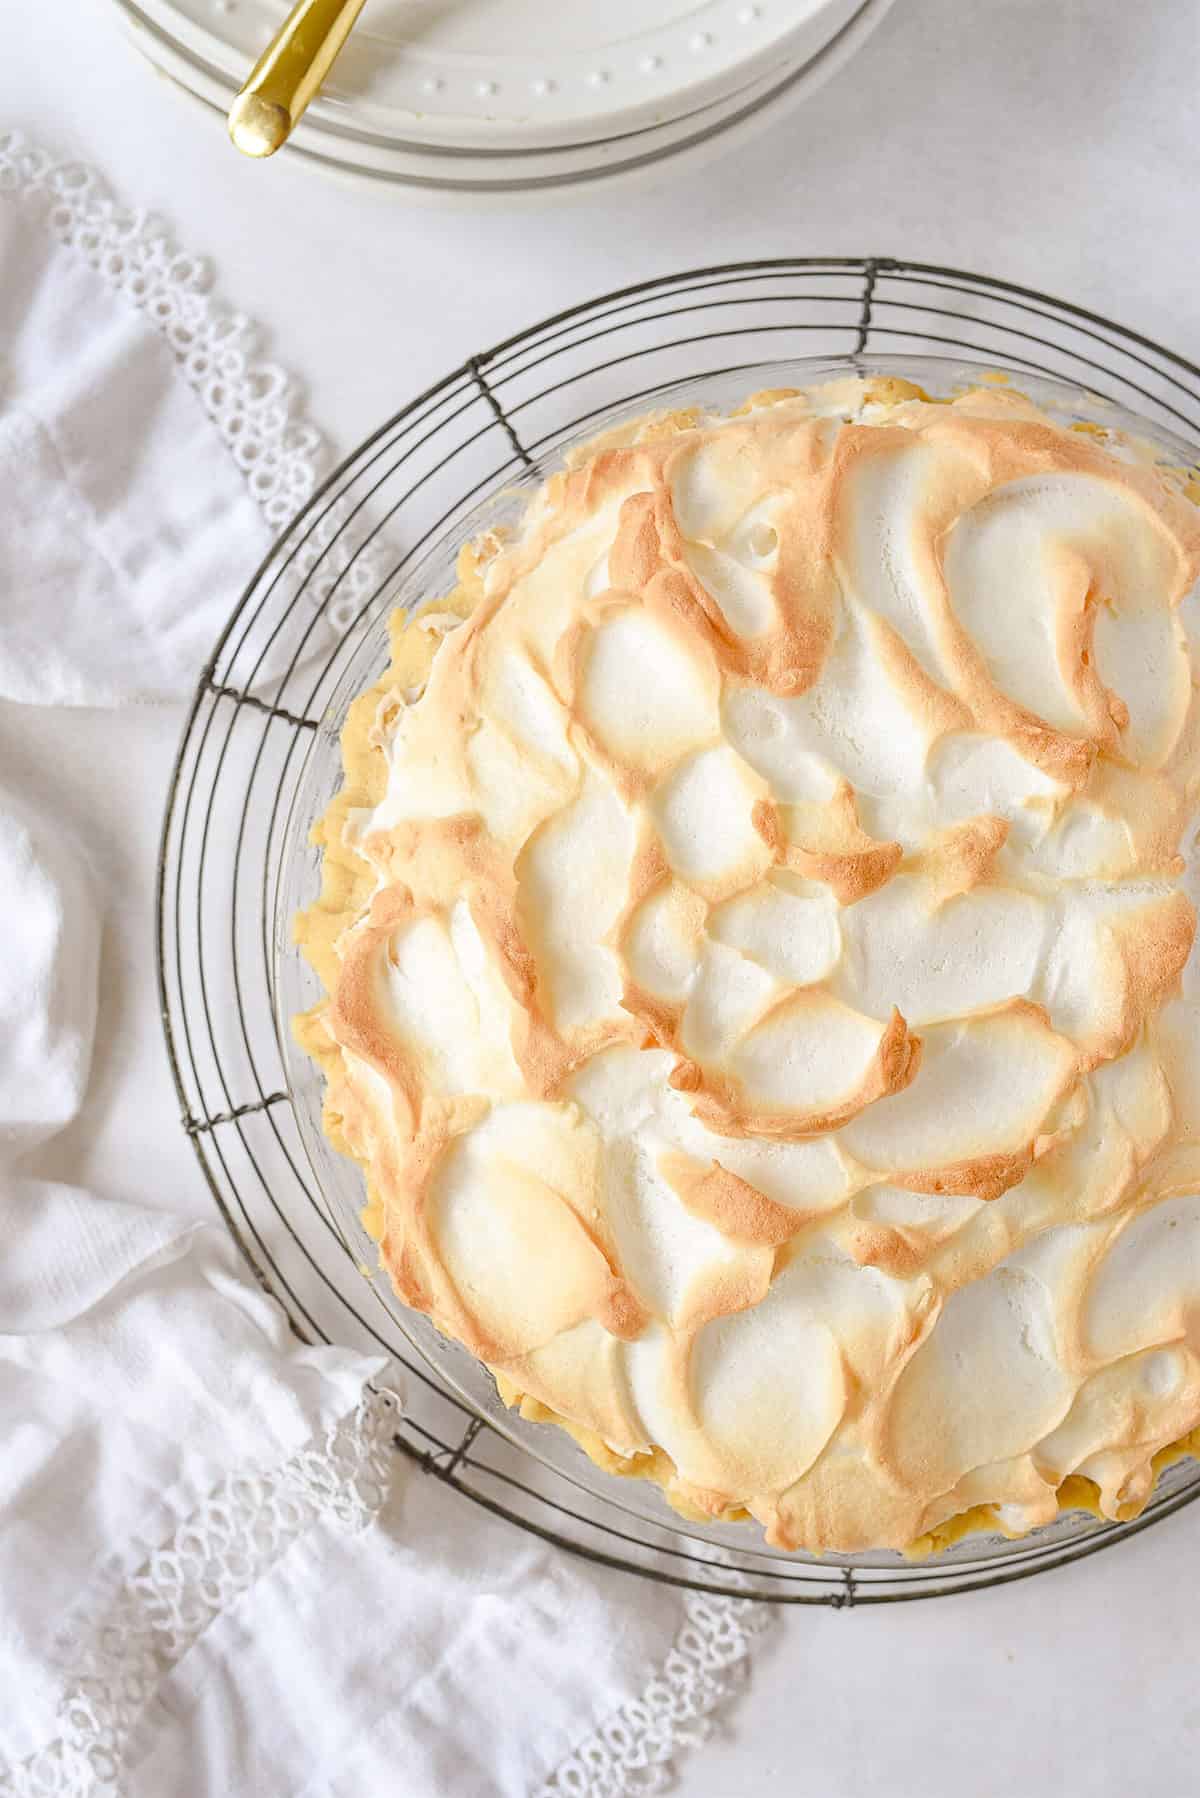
289,73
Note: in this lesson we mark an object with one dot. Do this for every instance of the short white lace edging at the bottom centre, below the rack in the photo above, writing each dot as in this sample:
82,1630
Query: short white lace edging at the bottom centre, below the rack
632,1752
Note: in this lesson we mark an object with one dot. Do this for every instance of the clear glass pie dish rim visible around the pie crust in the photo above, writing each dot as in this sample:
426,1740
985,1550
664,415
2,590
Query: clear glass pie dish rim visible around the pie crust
429,576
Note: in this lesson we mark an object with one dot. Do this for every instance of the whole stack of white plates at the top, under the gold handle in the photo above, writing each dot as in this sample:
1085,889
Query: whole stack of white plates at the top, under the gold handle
524,96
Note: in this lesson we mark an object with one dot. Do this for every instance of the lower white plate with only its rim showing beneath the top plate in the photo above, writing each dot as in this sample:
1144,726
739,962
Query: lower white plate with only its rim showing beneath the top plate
443,172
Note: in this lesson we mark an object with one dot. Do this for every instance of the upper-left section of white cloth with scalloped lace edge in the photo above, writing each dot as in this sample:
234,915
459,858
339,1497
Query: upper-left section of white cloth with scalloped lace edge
147,449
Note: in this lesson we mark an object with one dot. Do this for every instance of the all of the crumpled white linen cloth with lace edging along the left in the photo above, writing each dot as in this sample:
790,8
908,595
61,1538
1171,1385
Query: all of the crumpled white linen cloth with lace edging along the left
217,1580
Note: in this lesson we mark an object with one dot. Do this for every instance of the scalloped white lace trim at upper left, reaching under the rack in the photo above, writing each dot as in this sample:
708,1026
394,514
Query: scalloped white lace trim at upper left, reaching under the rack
255,405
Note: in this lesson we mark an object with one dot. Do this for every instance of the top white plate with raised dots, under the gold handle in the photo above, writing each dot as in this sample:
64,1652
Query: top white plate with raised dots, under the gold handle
521,75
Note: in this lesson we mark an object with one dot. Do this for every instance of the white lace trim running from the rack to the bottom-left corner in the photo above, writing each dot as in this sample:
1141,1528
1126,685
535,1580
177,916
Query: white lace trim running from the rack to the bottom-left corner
163,1610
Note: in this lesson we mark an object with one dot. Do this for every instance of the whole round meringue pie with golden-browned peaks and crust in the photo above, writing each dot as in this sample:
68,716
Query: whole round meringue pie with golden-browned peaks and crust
762,961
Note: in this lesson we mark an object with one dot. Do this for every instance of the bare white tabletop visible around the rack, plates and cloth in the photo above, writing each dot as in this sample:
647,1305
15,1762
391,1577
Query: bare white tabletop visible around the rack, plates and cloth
1046,143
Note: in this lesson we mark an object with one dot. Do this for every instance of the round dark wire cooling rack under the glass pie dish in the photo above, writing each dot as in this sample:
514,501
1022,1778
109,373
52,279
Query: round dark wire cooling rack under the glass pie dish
262,699
